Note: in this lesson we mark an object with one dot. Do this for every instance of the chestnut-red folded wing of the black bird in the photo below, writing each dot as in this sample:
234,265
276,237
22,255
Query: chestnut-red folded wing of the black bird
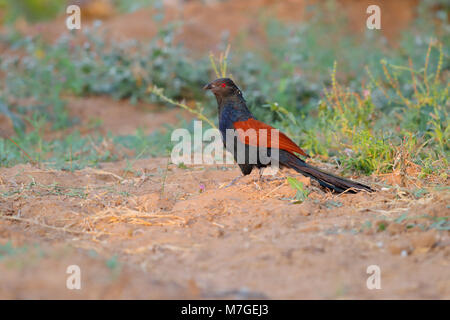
263,140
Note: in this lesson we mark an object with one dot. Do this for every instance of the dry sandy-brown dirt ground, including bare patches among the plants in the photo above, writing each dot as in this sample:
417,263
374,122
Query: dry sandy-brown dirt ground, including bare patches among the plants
150,229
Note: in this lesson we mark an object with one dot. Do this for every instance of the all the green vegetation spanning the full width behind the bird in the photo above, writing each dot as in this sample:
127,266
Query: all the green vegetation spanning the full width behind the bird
351,100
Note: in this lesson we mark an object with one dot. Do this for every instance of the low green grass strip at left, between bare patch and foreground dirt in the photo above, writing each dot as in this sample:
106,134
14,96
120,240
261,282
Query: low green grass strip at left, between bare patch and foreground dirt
75,152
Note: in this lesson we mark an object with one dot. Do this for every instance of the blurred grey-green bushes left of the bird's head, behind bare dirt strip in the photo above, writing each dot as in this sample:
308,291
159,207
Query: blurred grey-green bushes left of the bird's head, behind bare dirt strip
35,85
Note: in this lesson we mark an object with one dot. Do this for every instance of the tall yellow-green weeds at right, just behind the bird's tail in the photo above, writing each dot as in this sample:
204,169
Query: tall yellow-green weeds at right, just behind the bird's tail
366,138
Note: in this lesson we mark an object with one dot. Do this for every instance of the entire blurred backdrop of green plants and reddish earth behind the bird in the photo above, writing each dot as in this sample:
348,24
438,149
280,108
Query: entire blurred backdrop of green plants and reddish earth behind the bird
362,99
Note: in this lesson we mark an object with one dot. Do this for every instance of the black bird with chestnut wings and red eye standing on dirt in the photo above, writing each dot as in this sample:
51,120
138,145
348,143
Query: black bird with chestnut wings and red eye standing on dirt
234,115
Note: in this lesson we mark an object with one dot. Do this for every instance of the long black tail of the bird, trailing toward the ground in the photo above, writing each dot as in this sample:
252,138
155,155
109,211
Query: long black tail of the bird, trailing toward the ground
325,179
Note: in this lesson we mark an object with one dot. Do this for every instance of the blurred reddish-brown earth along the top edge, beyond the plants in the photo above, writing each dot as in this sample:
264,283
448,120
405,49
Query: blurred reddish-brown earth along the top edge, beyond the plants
203,25
